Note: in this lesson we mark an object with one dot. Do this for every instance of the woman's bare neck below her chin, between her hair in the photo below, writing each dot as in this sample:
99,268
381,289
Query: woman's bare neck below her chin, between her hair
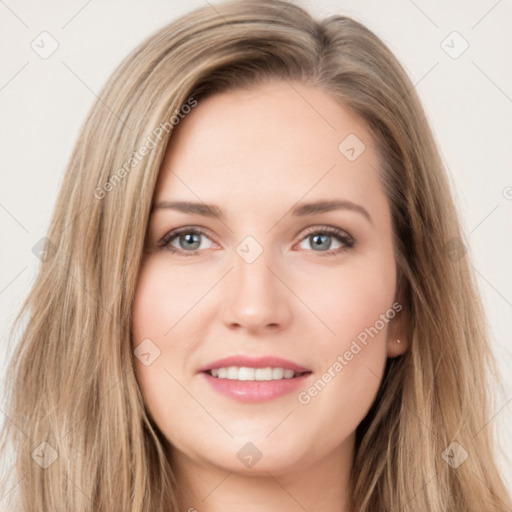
321,485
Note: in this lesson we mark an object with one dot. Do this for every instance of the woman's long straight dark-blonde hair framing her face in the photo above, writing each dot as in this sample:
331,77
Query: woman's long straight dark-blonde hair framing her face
71,381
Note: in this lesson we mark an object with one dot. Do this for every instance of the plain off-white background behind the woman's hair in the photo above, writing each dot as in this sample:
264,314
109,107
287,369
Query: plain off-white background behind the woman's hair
468,100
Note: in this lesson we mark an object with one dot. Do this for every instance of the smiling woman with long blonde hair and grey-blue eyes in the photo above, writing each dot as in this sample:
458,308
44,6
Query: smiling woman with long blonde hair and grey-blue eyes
253,294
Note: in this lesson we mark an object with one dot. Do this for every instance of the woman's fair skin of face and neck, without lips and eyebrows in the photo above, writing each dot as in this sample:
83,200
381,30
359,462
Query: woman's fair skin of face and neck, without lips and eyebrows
255,154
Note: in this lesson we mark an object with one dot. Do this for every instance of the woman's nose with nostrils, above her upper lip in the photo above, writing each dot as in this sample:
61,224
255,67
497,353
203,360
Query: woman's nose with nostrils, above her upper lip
256,300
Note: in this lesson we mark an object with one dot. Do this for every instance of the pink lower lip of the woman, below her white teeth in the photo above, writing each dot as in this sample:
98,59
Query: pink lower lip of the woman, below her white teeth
251,391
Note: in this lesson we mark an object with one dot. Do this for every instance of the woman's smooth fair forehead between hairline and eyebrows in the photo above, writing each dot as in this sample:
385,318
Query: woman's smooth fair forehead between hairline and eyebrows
275,142
